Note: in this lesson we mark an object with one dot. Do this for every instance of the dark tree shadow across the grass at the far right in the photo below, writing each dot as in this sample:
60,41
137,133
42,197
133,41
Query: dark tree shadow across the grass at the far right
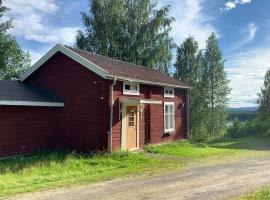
259,143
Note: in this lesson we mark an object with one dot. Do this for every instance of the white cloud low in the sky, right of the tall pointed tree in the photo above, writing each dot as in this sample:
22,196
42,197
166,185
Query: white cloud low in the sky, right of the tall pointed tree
246,71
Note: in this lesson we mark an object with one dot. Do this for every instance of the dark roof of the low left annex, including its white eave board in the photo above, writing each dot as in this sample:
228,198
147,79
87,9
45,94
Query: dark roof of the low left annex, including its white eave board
18,93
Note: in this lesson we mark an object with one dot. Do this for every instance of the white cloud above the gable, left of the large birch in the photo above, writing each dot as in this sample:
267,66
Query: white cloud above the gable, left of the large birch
30,21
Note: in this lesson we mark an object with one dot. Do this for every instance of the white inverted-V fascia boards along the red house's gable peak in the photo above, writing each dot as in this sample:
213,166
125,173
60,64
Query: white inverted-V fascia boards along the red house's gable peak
59,48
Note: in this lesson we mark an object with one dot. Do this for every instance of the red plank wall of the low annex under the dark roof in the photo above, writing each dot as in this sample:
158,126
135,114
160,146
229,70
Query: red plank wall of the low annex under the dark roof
26,129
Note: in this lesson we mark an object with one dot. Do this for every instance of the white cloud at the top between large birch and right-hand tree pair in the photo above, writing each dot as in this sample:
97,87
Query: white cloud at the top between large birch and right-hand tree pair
190,20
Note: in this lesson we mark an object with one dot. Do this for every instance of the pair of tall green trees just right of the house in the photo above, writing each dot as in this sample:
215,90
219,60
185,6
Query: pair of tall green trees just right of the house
208,96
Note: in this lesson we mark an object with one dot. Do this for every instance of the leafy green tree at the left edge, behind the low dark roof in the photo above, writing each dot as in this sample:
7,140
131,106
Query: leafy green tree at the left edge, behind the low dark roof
13,60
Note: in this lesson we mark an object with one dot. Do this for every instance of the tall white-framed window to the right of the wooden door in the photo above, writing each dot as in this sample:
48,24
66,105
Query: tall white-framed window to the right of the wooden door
169,120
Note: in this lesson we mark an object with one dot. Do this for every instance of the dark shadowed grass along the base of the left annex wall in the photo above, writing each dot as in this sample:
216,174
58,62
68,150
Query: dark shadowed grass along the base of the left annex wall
18,163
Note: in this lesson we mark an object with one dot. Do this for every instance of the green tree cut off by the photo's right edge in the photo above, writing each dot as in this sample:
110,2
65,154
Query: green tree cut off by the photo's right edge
264,98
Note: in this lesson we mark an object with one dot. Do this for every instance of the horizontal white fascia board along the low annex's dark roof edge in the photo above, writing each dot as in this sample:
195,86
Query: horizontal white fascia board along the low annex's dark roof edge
31,103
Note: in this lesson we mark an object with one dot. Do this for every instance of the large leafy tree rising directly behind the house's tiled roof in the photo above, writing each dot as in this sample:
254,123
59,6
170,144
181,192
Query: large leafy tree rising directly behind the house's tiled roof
131,30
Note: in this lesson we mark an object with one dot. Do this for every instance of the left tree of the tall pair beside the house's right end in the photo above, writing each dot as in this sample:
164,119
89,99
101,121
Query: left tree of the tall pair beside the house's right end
189,67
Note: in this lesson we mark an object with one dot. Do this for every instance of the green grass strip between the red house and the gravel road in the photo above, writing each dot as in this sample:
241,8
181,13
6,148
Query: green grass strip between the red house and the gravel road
61,168
